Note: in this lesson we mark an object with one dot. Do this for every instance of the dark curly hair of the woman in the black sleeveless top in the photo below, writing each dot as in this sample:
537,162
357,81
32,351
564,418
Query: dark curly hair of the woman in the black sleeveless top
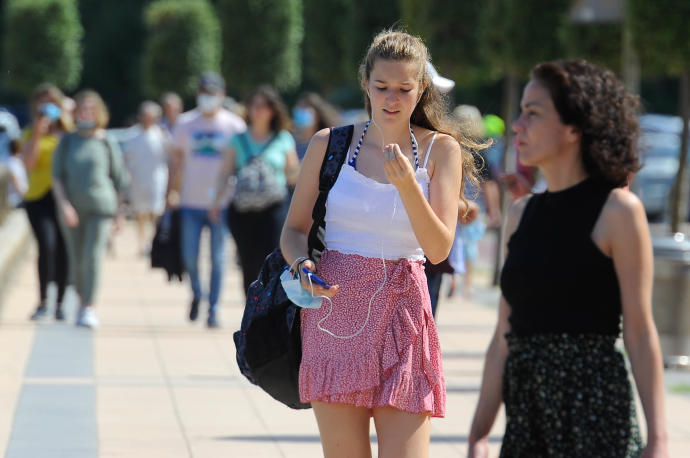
593,100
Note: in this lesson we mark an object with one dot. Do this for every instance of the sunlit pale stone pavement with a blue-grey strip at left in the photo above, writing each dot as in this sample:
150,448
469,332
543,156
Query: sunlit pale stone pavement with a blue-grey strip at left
148,383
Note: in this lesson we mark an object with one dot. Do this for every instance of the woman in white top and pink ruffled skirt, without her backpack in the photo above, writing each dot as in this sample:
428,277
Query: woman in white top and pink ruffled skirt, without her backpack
371,348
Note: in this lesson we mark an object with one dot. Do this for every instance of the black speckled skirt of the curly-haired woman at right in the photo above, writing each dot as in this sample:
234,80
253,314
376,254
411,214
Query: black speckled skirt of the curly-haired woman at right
568,395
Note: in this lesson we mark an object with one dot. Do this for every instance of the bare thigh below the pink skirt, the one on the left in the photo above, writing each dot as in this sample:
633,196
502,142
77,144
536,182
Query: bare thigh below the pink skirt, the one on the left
344,430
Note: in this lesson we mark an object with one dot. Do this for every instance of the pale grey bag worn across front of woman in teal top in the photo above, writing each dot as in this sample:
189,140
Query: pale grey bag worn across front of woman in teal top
257,186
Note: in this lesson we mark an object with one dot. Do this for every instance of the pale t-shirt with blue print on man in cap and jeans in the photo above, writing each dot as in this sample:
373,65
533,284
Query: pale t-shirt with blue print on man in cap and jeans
202,141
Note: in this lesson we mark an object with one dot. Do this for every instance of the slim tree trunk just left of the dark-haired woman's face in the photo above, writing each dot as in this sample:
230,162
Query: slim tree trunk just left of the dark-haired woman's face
511,103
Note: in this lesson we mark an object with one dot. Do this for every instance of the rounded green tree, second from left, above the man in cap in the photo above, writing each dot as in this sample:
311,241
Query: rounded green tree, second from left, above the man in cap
183,40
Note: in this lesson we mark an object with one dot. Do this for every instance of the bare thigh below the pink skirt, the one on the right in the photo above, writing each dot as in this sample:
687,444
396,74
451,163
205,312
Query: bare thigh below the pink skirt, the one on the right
401,434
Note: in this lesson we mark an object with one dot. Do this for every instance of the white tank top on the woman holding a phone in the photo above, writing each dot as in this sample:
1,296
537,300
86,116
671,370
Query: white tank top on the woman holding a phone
368,218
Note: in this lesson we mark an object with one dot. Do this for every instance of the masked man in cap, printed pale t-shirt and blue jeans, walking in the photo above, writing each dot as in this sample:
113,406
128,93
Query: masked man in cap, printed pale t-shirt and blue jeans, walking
199,138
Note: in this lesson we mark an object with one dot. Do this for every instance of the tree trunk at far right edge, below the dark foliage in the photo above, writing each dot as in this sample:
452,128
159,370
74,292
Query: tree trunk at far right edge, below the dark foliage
679,193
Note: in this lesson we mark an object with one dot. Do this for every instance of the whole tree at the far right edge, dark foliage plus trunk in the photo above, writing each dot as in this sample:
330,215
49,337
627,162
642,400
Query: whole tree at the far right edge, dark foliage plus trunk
662,37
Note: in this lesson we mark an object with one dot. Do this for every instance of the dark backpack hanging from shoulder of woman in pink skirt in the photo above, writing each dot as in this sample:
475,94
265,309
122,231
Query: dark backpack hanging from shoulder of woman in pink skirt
269,343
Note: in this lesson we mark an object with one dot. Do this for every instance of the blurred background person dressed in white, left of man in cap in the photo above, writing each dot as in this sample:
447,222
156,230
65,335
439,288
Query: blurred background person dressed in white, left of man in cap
146,158
